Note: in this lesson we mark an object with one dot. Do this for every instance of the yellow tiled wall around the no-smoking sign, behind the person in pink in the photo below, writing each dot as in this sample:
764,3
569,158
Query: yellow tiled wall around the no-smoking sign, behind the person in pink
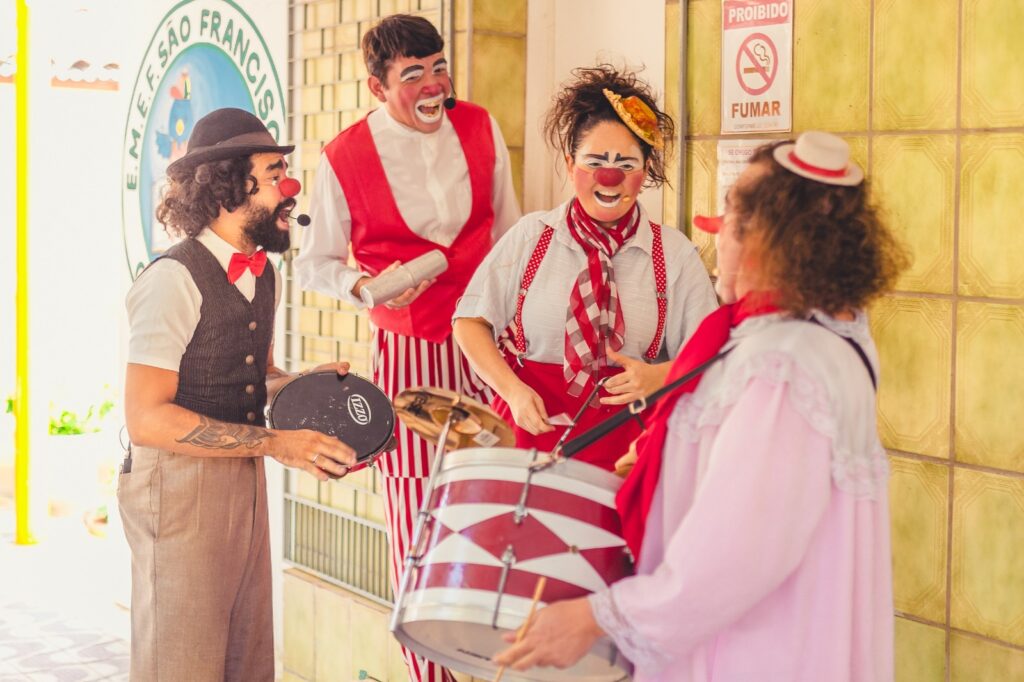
931,98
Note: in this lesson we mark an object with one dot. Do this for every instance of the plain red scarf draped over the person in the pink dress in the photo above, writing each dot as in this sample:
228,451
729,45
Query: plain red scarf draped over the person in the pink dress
634,498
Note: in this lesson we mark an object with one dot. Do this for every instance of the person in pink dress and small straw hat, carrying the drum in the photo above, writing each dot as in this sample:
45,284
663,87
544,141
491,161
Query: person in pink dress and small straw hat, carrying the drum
758,505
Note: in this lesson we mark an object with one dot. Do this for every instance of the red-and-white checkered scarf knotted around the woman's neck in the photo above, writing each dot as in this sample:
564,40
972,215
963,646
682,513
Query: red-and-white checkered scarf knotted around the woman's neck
593,321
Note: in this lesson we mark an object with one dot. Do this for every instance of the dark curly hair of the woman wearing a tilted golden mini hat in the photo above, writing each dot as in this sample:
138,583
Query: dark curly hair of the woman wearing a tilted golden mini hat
581,105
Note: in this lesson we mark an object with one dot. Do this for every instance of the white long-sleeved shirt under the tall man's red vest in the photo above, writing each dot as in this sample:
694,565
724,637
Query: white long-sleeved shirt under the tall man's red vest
430,180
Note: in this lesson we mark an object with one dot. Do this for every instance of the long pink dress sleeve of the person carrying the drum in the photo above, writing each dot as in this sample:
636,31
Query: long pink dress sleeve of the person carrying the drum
765,492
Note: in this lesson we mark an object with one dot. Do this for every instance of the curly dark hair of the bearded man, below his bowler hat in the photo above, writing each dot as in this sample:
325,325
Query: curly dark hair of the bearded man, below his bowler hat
196,195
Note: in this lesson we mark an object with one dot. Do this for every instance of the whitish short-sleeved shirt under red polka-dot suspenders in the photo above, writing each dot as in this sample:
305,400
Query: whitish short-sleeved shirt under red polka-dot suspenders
493,292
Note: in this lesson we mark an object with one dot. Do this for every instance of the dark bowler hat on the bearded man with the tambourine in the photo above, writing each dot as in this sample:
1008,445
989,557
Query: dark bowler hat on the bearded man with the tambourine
227,134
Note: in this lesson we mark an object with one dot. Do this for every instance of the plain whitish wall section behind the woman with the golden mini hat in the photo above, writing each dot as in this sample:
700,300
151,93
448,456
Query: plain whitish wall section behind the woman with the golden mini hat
567,34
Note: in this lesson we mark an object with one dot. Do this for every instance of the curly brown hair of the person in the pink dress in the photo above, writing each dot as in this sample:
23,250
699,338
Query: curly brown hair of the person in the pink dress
823,246
